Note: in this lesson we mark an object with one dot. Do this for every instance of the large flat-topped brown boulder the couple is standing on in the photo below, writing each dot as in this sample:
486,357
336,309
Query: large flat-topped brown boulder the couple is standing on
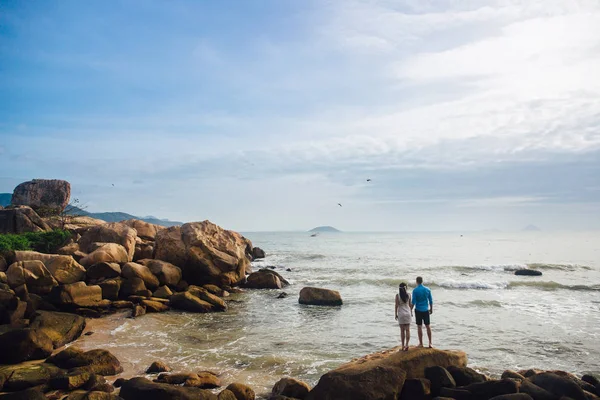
381,375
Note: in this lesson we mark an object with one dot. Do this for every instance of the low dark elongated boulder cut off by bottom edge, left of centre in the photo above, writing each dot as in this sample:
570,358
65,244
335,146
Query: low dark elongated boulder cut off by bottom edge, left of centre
142,388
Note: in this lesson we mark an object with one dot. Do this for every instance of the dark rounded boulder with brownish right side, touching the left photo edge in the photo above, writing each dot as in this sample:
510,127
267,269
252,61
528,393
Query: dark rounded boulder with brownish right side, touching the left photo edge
24,344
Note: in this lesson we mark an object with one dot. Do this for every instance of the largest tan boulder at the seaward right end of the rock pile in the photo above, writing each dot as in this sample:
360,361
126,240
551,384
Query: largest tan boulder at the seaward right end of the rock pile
206,253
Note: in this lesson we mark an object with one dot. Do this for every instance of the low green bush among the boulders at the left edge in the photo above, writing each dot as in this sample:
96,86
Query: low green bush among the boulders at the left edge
44,242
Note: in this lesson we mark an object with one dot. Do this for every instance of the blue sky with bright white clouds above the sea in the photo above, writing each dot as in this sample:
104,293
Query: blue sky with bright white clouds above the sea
264,115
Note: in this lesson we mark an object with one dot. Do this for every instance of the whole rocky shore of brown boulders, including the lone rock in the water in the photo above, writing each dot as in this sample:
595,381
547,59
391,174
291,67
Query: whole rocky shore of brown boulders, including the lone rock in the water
47,299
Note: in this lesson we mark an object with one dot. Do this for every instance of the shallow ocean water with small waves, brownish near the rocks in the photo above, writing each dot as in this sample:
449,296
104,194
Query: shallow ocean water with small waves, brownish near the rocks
500,320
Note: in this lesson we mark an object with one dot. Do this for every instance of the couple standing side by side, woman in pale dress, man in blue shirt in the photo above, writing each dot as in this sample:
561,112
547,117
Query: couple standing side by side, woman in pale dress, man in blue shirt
422,302
